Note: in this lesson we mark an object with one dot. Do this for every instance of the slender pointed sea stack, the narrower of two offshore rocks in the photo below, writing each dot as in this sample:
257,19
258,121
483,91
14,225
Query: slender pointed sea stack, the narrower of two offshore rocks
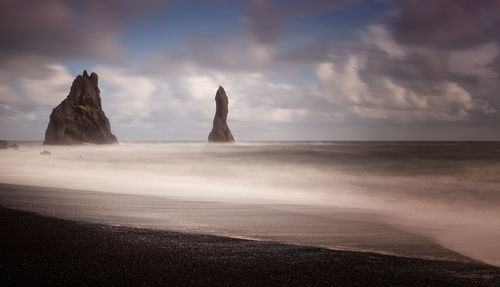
220,132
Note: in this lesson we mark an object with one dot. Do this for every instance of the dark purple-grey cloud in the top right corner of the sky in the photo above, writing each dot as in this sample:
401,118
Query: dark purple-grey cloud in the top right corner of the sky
448,24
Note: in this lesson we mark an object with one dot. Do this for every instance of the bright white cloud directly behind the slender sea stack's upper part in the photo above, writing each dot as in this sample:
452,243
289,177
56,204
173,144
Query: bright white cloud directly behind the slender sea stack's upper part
252,98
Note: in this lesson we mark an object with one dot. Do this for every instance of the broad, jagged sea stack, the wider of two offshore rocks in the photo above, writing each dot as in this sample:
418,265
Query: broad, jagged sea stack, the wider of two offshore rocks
79,118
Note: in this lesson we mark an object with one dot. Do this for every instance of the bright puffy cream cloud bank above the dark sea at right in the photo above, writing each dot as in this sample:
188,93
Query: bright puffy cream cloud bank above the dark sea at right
382,98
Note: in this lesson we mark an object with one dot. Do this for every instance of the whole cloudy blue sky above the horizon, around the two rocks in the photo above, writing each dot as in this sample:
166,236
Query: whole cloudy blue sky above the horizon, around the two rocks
292,70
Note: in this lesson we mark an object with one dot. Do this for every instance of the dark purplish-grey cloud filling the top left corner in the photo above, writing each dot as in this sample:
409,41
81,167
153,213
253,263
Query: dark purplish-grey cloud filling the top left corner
66,29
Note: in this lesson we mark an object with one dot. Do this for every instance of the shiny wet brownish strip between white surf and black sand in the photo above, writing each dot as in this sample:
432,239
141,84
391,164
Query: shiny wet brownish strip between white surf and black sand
332,228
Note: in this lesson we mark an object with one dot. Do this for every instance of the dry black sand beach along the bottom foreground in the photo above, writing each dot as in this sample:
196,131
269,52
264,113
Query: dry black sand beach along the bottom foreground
38,250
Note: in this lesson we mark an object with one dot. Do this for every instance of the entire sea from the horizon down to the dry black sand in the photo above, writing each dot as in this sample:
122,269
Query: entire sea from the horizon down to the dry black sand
418,199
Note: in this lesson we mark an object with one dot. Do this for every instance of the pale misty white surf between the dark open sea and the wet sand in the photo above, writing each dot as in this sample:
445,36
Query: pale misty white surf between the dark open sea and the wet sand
449,209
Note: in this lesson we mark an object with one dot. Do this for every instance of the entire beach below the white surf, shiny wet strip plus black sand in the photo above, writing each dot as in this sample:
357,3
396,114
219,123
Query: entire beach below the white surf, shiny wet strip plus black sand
89,247
